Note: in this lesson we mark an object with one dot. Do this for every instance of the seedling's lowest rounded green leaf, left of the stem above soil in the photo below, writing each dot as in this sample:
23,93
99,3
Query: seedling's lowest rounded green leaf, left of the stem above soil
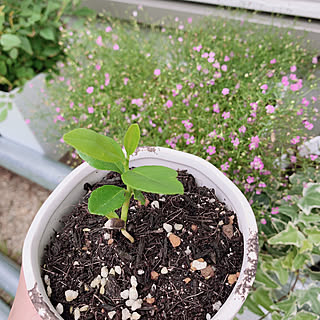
106,199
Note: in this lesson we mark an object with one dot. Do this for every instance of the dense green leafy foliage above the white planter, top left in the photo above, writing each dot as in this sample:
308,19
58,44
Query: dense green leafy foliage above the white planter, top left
30,38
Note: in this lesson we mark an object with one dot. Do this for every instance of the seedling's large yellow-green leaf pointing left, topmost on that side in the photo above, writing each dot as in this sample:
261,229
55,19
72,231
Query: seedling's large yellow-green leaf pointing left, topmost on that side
95,145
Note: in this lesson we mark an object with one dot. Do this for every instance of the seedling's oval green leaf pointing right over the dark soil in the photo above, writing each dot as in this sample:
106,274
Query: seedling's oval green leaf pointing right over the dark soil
155,179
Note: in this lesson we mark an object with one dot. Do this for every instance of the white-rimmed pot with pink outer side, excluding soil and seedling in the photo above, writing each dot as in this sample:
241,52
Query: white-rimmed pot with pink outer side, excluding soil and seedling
71,190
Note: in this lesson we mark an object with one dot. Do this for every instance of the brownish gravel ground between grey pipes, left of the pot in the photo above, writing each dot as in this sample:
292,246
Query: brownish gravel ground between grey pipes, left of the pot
19,202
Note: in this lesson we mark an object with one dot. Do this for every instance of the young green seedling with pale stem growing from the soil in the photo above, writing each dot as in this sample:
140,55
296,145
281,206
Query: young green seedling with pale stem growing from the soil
104,153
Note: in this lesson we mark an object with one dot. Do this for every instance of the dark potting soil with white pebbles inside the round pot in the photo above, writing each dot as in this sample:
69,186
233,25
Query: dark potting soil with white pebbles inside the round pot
185,260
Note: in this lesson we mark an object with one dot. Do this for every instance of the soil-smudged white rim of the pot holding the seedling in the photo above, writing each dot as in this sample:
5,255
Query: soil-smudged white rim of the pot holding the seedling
146,155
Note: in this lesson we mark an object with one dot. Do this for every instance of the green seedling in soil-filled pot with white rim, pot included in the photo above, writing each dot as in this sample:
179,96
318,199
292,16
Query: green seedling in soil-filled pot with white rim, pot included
148,240
